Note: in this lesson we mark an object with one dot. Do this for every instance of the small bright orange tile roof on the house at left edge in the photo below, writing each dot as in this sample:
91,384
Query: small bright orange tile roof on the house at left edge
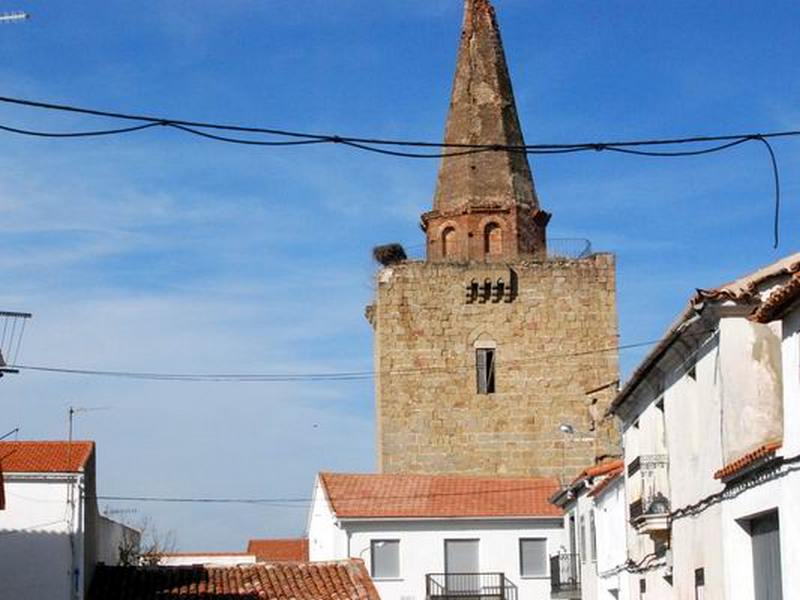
44,457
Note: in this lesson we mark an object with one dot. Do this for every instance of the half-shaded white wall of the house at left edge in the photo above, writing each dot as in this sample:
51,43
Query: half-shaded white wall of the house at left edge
35,550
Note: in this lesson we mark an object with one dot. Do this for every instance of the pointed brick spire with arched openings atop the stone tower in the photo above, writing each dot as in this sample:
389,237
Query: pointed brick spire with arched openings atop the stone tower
485,207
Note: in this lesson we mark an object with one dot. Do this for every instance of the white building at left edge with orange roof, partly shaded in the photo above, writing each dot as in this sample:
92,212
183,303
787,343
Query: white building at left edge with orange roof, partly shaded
51,534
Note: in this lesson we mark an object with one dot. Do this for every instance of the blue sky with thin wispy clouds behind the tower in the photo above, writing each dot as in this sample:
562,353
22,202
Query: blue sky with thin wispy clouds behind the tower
162,252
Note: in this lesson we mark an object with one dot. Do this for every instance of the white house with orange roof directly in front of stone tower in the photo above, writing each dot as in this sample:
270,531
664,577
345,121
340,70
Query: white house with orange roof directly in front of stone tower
434,536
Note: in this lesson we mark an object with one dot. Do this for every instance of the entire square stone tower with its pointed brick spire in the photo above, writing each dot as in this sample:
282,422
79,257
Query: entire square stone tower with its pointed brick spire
488,346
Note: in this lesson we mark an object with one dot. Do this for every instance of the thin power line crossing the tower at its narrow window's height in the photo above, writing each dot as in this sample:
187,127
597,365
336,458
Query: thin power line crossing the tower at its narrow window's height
290,377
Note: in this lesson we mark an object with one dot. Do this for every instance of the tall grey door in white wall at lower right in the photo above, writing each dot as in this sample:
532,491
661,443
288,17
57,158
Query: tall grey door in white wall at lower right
766,542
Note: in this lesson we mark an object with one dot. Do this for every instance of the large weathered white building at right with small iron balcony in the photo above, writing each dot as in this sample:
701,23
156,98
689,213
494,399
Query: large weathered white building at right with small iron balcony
711,428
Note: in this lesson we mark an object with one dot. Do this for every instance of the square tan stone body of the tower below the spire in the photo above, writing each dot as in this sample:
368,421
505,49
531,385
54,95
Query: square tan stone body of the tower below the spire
431,418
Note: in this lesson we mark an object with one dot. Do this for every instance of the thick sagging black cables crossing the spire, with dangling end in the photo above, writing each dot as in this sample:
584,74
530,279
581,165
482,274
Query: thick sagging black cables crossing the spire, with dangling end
385,146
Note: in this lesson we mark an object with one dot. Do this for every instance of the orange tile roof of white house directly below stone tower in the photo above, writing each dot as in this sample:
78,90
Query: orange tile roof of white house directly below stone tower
431,496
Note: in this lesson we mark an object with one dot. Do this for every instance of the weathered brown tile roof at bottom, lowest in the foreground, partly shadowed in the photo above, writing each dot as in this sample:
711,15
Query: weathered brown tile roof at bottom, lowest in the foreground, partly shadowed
338,580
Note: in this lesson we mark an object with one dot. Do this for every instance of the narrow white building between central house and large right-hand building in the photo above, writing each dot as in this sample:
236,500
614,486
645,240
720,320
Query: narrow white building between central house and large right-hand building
590,567
